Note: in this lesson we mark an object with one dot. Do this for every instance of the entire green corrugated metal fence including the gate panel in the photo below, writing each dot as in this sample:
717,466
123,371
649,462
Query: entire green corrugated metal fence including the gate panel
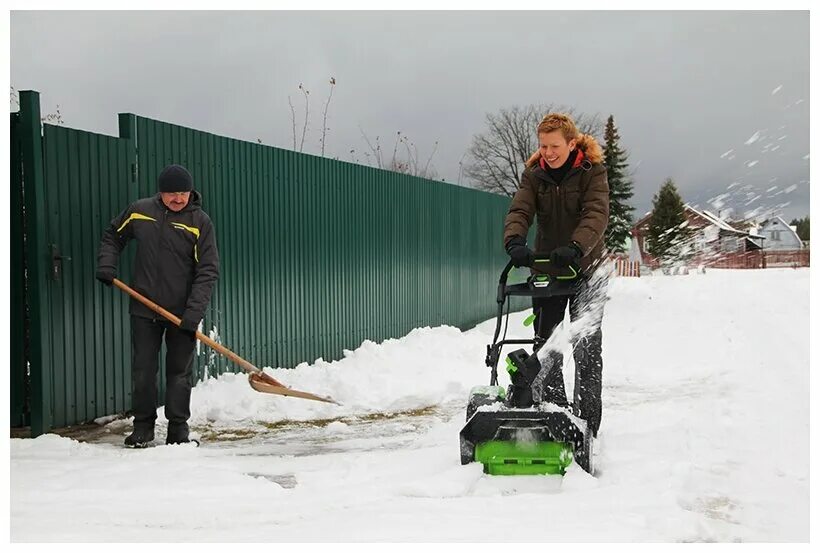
316,255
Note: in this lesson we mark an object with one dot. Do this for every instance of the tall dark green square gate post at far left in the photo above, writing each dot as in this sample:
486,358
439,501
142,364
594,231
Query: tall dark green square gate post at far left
37,261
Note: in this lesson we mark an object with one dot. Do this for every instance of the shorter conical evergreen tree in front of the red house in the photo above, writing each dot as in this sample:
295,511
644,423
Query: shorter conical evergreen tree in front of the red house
668,237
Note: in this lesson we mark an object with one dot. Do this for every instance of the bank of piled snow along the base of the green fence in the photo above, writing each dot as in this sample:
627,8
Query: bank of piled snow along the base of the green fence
428,367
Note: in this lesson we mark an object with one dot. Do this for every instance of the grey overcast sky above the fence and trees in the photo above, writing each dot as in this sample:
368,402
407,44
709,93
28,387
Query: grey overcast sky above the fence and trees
685,87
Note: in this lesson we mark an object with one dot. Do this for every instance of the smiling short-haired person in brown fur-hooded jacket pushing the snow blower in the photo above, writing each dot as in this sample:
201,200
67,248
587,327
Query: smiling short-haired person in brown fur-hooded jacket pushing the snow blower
564,187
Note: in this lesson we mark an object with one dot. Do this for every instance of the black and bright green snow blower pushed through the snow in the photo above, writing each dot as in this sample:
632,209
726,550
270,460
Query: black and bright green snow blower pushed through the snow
511,432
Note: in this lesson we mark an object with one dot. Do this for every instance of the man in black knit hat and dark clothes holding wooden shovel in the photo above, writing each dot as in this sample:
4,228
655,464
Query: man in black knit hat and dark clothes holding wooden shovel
176,266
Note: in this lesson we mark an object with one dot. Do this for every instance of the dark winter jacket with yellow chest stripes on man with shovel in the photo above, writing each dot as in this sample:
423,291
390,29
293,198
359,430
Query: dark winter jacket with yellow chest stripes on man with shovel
177,261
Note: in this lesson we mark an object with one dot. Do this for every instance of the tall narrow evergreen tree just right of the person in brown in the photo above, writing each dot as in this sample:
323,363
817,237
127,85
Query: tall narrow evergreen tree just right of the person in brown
620,190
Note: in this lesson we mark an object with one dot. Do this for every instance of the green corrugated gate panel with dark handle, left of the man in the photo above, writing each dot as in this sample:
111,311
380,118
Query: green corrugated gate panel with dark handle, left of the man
86,183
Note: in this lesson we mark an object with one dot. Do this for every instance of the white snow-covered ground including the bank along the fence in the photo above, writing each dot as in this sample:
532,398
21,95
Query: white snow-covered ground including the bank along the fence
705,437
